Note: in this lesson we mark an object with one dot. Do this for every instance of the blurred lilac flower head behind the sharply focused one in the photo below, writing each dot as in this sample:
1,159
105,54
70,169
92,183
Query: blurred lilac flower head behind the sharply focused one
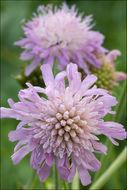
62,34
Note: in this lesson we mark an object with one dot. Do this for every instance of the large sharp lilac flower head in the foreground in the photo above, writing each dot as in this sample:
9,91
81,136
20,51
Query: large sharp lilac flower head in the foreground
63,126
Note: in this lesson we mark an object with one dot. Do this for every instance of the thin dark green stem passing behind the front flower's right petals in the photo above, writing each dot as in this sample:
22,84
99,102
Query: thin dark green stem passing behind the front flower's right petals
108,143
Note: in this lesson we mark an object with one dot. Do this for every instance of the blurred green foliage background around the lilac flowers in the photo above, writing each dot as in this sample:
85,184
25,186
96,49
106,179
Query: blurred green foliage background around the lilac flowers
110,17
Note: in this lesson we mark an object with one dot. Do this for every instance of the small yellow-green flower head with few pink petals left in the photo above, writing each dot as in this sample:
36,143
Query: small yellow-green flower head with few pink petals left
107,75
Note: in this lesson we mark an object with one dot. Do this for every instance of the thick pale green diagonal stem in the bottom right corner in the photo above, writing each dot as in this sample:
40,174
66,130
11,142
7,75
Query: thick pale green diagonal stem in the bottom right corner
110,171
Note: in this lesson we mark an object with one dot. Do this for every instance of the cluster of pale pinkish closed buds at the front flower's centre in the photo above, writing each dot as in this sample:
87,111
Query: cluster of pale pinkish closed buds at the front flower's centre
66,131
